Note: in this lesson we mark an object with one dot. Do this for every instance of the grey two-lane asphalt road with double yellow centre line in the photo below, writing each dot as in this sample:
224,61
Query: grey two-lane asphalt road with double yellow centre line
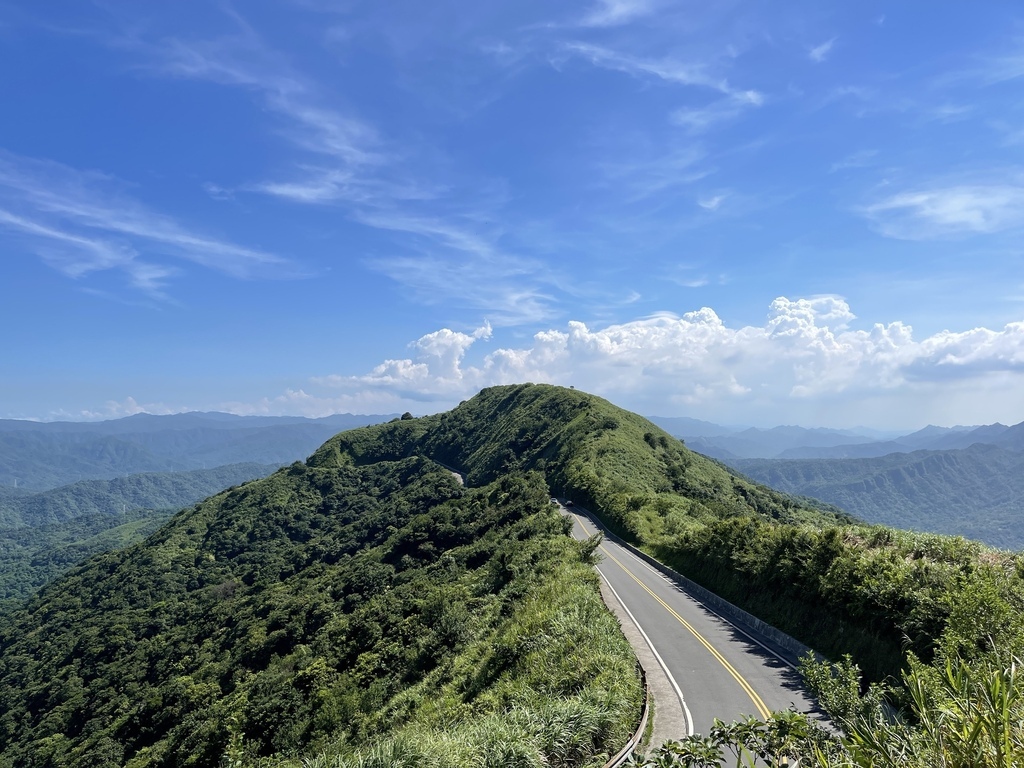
715,669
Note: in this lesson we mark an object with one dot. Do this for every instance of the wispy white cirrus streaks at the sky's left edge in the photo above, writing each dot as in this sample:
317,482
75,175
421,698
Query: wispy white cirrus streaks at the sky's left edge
84,223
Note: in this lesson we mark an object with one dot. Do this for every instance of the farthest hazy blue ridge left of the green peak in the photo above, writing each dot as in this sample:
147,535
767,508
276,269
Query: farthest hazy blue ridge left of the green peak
42,456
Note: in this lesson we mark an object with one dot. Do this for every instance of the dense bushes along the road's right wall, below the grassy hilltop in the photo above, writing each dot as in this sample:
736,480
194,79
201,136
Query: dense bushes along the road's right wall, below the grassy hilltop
872,592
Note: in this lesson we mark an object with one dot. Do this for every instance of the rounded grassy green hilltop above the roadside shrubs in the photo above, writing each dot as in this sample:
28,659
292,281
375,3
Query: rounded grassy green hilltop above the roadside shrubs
645,482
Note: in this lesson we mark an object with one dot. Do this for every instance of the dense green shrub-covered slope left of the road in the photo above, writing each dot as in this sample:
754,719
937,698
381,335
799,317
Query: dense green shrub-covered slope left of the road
315,614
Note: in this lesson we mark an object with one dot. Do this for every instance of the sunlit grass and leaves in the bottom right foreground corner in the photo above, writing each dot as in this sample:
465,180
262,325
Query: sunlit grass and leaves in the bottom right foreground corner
958,717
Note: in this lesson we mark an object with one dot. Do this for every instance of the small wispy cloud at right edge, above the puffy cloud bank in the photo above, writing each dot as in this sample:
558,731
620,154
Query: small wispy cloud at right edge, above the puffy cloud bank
945,211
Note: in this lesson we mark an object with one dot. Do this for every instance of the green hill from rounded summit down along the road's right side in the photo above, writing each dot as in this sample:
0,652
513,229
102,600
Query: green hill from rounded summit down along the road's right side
817,574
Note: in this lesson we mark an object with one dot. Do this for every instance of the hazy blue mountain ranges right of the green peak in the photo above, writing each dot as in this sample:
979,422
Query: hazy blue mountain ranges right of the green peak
963,481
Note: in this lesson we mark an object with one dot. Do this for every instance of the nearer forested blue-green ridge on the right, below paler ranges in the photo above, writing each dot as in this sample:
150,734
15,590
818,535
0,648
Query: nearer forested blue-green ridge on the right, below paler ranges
976,492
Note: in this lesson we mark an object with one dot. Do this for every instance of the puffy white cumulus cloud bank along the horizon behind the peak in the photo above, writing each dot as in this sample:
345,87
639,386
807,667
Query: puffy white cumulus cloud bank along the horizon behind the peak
803,365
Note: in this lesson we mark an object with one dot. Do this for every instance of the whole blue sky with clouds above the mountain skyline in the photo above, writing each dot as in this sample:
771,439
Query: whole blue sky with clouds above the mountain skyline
746,212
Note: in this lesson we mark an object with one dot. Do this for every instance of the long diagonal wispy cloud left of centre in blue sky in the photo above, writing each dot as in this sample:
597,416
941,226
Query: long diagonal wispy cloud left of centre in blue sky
451,254
